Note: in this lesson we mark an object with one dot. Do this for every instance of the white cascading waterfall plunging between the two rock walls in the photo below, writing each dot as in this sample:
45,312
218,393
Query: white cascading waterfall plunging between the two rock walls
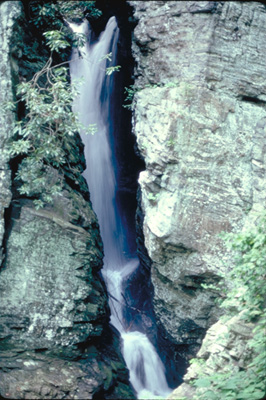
147,373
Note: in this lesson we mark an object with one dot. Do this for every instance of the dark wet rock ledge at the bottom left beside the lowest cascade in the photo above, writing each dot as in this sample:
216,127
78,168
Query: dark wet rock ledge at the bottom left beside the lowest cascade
38,375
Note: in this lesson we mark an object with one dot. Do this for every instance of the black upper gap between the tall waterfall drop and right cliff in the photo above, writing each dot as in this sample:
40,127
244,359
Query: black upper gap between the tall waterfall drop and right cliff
126,162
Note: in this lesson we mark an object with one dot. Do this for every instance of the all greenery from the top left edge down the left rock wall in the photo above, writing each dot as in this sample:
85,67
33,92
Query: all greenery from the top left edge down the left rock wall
42,135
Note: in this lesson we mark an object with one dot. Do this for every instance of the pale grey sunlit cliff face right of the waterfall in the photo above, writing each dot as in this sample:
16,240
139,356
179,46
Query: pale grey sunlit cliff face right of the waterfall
199,119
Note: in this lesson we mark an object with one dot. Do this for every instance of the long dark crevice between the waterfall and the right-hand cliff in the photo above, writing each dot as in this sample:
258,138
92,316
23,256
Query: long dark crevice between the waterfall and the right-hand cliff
138,289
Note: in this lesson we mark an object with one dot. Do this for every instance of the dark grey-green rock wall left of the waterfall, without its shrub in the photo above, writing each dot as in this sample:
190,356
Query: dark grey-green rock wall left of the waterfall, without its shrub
55,338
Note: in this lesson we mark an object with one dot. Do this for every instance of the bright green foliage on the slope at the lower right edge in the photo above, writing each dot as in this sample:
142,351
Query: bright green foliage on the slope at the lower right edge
247,296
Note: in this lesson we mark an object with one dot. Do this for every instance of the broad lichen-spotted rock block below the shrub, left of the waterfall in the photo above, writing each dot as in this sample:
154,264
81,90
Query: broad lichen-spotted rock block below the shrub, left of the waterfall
49,280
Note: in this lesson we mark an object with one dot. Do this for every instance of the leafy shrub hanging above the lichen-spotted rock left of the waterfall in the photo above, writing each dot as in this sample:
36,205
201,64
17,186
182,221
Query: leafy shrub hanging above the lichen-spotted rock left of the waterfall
43,133
